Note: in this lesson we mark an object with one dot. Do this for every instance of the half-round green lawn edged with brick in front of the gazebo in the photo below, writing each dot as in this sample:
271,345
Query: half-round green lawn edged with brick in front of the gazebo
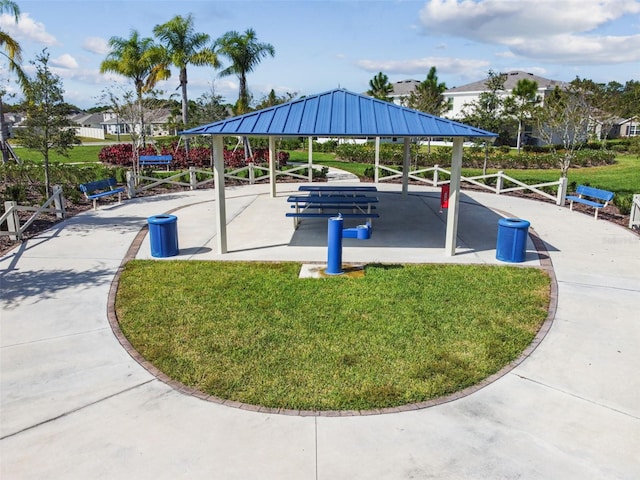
256,333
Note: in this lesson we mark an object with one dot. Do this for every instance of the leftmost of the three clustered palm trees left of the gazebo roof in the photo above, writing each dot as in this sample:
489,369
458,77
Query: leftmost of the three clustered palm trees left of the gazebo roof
140,60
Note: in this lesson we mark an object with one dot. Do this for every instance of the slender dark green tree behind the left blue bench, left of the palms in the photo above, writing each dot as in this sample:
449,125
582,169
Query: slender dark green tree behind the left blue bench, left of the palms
47,123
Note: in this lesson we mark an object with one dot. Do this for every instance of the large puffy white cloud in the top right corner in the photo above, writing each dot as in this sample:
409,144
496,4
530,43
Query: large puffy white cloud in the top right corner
553,31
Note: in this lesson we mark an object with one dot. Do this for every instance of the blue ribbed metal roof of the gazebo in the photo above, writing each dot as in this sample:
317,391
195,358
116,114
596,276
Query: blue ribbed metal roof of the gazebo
338,113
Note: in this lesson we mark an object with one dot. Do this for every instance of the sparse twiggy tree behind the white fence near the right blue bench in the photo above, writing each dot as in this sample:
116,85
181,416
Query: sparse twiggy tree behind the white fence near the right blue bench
565,119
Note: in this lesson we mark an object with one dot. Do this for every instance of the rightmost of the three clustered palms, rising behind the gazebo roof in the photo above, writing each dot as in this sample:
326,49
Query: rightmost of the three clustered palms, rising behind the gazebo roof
245,53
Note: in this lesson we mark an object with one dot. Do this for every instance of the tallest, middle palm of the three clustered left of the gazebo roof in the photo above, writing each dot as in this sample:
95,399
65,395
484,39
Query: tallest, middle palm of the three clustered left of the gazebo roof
183,47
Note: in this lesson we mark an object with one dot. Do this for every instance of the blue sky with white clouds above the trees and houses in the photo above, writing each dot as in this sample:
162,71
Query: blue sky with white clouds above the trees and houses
321,44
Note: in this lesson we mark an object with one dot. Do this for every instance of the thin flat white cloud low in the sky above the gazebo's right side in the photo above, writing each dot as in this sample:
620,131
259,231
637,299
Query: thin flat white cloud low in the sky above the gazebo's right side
421,66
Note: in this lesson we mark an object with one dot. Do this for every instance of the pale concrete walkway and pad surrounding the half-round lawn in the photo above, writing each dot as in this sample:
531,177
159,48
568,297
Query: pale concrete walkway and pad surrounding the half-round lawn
75,405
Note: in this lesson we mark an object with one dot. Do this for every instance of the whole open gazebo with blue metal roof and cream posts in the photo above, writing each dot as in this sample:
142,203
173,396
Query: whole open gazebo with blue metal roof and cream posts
339,114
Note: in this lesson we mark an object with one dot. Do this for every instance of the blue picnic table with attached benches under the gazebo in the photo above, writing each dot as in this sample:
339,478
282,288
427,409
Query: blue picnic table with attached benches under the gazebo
349,205
